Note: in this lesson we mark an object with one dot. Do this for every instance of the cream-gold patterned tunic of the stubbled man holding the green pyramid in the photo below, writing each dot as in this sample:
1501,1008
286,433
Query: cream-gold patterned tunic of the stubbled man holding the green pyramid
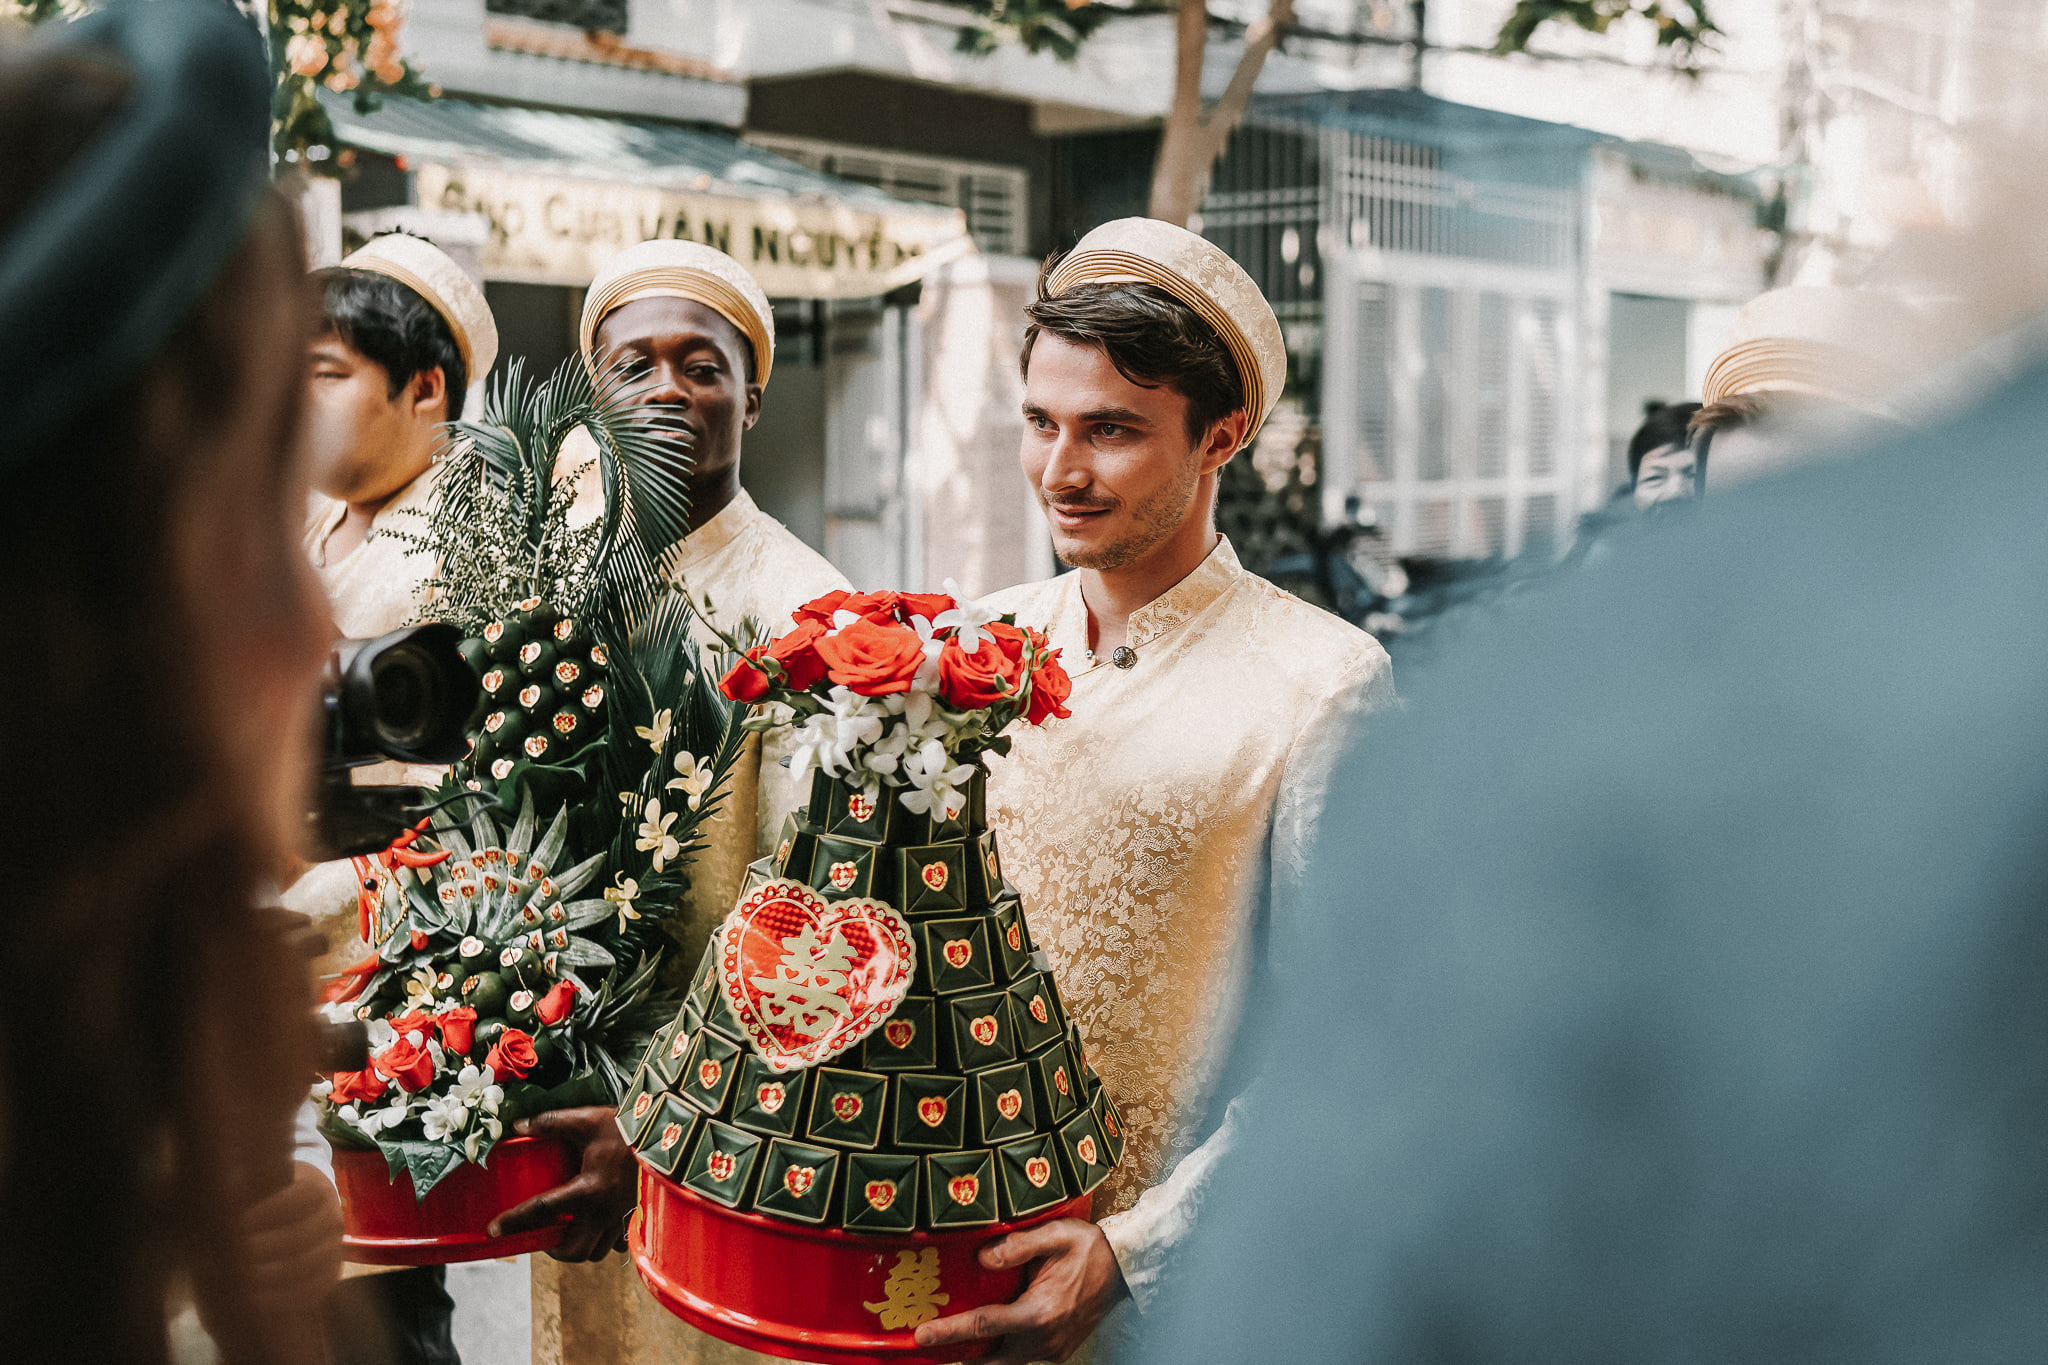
1150,828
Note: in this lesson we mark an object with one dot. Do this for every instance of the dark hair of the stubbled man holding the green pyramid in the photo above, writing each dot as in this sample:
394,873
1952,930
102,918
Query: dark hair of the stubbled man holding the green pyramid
1150,337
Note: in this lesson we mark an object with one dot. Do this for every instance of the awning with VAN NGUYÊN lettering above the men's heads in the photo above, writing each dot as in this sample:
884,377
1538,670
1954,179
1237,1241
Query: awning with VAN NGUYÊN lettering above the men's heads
562,193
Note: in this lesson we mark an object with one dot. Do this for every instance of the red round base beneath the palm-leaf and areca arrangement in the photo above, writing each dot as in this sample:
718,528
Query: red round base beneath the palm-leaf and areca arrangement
384,1225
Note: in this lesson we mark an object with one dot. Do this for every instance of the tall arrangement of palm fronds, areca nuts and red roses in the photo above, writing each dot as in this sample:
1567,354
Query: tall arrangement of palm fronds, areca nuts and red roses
515,963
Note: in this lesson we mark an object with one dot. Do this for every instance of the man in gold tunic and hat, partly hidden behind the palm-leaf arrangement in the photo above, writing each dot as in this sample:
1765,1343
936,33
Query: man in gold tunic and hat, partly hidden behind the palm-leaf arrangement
703,331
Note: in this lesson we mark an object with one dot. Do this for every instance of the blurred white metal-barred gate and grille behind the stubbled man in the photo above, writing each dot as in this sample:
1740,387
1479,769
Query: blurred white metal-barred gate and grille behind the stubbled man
1437,310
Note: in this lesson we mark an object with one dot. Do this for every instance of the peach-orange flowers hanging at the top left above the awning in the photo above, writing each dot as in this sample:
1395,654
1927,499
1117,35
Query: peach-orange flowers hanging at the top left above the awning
347,46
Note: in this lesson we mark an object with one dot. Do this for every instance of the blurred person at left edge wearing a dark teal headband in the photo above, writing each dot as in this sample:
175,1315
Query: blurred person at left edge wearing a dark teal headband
157,1028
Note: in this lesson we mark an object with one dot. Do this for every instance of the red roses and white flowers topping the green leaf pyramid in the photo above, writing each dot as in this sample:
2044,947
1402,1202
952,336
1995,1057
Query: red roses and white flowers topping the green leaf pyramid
904,691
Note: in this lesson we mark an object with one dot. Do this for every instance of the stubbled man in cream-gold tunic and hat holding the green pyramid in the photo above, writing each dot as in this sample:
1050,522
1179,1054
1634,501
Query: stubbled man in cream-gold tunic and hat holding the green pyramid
1154,828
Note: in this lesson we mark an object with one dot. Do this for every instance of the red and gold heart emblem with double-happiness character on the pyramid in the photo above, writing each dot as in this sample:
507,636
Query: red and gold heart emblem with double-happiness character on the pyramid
806,977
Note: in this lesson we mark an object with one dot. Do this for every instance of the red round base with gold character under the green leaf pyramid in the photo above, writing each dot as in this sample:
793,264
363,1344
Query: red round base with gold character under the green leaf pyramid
804,1292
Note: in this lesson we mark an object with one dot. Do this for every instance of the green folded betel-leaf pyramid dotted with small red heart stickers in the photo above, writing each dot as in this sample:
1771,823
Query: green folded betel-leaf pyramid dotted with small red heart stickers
972,1104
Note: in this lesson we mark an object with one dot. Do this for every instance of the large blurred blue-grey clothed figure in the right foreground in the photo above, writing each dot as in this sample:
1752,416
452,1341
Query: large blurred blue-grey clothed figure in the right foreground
1699,1012
